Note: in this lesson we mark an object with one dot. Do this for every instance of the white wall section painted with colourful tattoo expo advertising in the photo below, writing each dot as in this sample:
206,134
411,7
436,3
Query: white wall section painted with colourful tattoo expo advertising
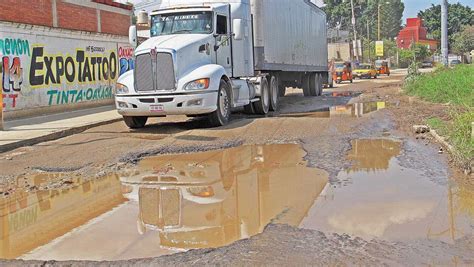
42,67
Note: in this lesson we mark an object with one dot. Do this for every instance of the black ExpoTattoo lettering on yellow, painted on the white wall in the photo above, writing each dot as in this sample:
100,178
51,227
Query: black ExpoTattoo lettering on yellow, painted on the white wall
82,68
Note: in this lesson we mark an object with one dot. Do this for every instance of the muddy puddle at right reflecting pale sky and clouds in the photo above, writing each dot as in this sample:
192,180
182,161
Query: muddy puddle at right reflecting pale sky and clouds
378,198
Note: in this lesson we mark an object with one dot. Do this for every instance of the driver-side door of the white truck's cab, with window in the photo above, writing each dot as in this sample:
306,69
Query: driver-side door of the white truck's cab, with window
223,40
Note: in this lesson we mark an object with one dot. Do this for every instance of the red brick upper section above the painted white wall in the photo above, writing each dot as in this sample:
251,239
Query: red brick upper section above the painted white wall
69,15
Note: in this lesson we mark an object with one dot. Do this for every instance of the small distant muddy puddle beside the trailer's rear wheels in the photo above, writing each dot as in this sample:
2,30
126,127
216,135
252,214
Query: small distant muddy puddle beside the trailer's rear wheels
354,110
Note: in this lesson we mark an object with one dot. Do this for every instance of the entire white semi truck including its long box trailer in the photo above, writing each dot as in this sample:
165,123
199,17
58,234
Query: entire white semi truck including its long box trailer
209,57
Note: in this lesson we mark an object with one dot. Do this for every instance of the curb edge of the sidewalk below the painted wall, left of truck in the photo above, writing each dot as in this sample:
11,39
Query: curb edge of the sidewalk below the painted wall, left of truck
55,135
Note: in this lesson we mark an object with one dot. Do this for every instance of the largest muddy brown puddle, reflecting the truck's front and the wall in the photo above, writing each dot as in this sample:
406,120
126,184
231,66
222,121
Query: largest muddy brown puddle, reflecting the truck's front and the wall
167,204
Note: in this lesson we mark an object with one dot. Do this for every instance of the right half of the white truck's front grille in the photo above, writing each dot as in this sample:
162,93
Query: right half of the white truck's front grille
165,77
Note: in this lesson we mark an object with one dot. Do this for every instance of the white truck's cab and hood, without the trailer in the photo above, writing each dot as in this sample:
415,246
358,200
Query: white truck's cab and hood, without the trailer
187,66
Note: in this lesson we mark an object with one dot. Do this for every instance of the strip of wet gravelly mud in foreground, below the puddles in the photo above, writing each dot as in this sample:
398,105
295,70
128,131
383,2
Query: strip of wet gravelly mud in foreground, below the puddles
291,246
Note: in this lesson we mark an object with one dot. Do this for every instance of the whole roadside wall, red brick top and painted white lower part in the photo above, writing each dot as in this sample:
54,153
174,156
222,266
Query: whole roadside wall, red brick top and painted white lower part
61,55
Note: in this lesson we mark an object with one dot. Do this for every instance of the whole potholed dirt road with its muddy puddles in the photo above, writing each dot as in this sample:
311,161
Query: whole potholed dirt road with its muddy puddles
337,179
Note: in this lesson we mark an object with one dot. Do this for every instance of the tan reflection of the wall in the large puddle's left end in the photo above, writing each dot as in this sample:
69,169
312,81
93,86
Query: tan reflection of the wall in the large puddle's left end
51,206
